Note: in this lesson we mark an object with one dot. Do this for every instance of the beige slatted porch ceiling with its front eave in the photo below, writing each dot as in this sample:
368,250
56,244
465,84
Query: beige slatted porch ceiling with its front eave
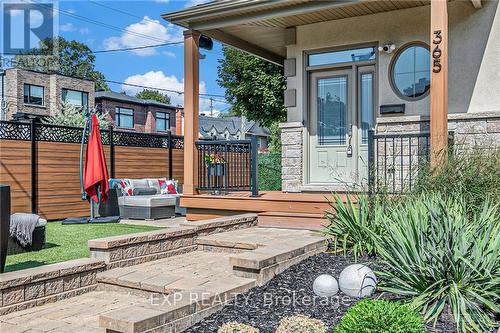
258,26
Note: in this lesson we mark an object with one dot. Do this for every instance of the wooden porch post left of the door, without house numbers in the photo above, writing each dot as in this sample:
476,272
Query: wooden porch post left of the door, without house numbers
191,110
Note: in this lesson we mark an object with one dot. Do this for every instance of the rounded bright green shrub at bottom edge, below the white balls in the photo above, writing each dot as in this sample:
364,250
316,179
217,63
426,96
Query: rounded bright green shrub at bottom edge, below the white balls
380,316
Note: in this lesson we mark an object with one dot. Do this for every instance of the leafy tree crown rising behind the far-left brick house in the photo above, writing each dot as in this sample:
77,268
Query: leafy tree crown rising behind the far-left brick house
73,59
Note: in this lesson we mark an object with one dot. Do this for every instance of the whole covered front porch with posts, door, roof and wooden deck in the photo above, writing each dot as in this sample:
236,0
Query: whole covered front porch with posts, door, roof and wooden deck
291,34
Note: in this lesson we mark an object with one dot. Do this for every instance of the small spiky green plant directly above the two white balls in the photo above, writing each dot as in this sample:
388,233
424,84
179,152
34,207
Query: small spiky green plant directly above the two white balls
351,226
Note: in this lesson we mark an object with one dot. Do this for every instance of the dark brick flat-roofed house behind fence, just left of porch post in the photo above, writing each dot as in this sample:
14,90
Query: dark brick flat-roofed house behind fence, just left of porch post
135,114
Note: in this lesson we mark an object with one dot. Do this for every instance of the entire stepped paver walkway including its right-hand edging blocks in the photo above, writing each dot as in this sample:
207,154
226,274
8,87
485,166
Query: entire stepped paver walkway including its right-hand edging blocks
172,294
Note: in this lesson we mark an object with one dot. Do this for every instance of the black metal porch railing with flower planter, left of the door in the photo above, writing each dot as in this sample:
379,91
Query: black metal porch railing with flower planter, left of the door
225,166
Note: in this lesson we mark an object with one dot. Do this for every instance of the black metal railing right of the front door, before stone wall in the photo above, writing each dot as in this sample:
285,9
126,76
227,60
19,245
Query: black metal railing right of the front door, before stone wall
394,160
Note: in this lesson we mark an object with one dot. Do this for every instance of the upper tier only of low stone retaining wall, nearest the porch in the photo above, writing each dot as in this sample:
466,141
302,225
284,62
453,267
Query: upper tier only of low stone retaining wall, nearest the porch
133,249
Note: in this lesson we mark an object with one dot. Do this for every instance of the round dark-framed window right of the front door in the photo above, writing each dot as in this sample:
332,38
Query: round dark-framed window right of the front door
410,72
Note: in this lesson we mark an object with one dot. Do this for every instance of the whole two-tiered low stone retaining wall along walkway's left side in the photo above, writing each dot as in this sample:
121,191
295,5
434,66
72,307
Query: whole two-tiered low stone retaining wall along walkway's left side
27,288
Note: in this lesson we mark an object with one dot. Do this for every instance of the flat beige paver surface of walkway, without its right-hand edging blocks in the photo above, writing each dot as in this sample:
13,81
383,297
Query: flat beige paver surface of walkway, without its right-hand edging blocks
127,291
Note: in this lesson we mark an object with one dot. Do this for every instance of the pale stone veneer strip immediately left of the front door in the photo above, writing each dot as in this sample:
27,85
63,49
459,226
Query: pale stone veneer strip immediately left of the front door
291,156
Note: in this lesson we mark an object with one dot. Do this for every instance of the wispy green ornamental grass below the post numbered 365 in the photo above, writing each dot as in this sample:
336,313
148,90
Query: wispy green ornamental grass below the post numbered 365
473,174
